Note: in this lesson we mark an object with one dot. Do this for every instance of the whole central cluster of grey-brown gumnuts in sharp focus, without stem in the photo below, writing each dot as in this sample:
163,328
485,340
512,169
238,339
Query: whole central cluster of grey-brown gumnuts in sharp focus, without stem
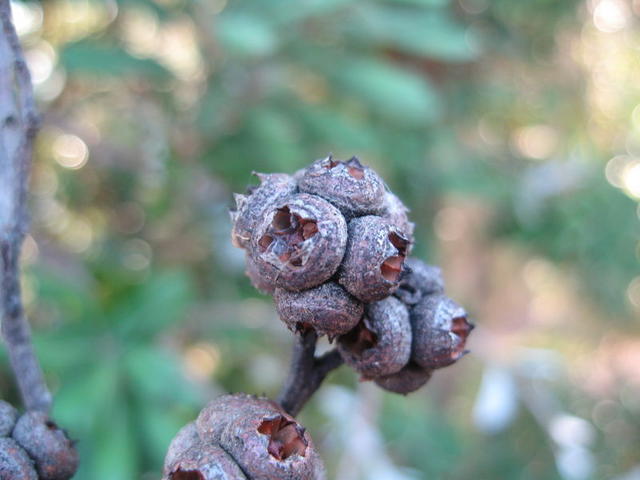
332,244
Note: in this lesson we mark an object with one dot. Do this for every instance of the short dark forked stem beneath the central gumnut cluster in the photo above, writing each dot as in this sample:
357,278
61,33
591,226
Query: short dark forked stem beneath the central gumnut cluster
306,372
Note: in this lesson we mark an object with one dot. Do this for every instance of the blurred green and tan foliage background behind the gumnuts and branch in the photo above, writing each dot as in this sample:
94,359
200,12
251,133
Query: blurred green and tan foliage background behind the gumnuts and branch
511,129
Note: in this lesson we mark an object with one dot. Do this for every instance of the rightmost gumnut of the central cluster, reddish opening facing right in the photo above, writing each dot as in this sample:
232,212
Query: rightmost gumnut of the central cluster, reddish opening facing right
440,330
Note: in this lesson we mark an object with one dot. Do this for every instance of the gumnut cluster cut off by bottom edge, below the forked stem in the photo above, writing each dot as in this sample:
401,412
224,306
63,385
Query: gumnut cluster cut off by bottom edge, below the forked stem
242,437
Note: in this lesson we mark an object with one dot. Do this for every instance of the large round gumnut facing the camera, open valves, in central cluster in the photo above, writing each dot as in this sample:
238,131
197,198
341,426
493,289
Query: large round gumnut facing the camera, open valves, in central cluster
300,242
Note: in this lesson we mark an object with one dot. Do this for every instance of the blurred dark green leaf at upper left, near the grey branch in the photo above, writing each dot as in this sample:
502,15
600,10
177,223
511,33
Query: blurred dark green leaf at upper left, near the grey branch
87,57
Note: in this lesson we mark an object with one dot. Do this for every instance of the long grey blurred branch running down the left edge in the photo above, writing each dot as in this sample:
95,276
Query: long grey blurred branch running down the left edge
18,126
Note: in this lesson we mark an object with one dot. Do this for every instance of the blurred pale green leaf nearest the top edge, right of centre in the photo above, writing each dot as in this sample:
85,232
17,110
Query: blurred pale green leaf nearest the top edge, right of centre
425,33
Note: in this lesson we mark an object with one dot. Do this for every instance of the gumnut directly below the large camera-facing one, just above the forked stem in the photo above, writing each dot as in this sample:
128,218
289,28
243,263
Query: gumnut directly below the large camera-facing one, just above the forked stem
328,309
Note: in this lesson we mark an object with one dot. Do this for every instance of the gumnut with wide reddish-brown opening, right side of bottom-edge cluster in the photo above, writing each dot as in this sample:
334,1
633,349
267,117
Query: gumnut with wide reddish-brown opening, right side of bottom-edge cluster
272,446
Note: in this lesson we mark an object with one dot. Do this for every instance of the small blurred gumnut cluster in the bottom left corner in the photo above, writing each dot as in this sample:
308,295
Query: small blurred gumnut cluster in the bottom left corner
33,447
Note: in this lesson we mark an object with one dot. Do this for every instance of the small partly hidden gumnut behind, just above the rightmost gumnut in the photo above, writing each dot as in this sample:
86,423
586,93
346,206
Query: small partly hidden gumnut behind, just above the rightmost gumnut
419,280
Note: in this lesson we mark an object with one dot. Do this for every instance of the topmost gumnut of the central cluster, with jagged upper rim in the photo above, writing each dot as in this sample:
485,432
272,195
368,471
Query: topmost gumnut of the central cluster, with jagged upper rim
352,187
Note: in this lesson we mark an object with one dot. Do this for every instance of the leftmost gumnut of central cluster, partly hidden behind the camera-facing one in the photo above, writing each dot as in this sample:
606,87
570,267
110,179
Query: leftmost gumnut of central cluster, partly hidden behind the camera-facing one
250,207
